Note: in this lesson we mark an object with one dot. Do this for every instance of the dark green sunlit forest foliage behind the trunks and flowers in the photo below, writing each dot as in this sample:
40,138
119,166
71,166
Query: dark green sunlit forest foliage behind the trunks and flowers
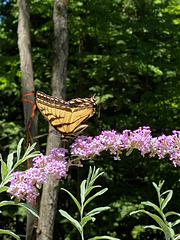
128,53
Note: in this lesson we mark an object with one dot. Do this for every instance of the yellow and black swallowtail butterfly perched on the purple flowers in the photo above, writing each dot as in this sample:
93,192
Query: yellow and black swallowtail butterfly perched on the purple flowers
66,117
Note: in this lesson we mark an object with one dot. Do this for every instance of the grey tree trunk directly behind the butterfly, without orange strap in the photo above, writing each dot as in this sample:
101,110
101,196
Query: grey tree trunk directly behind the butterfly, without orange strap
60,49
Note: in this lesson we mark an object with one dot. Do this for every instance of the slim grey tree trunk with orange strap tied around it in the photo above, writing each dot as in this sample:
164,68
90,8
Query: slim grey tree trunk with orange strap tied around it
28,90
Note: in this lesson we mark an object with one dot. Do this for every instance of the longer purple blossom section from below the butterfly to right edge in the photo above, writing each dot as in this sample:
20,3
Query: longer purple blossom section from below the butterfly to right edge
141,139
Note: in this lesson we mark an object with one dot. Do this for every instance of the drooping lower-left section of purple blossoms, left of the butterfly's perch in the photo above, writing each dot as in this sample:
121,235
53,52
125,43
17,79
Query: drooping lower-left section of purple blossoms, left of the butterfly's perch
25,185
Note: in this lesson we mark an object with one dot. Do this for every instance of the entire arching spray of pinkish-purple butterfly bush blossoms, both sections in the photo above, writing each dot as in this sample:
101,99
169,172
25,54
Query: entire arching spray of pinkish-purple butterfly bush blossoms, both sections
25,185
